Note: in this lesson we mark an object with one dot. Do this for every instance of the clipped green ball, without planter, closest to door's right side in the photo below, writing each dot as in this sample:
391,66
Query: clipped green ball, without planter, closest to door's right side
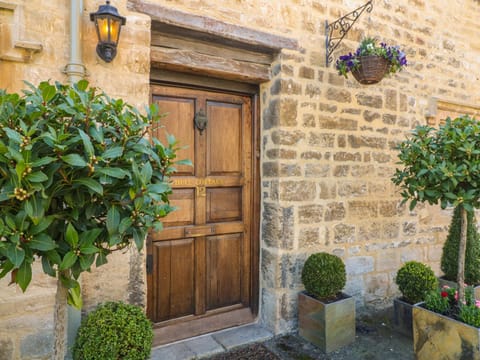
324,275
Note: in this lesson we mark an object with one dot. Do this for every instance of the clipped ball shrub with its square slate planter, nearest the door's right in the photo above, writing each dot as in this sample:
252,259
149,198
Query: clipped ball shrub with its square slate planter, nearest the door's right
326,316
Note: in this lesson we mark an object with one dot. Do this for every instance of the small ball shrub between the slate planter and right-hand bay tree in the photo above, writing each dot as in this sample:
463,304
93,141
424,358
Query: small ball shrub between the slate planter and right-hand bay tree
415,280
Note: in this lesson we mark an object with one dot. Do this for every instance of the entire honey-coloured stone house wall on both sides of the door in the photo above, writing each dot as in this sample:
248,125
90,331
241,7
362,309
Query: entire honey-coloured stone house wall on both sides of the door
327,142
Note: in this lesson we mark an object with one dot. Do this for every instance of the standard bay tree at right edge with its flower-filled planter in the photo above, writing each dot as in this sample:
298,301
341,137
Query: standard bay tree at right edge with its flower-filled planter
442,165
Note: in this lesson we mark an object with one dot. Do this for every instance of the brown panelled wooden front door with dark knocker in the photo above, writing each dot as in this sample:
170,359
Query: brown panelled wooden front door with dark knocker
199,268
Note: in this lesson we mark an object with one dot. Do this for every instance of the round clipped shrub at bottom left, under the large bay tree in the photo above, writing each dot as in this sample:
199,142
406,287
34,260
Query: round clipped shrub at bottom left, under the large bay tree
114,331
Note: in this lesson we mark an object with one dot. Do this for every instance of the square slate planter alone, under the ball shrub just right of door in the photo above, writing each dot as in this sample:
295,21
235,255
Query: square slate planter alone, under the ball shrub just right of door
327,325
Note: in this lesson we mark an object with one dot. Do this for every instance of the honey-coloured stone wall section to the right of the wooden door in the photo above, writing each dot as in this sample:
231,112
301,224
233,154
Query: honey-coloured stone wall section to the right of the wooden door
328,142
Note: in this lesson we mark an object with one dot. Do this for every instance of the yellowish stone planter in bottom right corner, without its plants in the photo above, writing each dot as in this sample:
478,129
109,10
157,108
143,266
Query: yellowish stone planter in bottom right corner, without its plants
439,337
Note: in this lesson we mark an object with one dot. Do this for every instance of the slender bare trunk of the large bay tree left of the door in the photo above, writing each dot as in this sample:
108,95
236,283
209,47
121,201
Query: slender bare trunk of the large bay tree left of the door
60,322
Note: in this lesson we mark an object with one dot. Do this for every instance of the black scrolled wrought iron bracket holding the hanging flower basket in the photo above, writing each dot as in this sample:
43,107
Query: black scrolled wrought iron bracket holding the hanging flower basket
336,31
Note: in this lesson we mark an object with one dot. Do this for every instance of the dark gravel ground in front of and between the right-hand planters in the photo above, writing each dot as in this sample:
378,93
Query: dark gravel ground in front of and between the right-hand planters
375,340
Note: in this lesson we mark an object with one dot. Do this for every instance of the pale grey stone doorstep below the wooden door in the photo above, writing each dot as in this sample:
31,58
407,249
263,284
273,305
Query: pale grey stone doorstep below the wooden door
211,344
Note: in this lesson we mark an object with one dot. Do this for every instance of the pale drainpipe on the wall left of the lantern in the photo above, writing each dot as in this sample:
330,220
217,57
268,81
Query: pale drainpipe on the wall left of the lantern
75,69
